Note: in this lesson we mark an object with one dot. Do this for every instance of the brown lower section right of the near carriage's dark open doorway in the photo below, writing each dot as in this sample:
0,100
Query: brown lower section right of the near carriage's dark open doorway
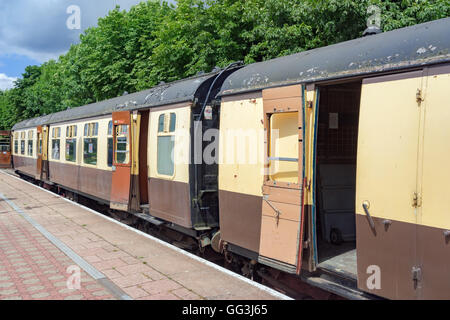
398,248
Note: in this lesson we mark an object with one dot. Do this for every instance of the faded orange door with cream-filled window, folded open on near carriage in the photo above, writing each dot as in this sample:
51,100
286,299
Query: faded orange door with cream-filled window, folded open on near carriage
281,208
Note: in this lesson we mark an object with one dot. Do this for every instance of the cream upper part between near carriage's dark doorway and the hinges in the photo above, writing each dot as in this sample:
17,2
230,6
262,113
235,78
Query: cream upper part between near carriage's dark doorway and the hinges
388,147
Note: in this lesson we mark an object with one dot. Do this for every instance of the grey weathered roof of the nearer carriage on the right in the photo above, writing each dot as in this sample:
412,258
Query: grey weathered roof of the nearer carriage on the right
414,46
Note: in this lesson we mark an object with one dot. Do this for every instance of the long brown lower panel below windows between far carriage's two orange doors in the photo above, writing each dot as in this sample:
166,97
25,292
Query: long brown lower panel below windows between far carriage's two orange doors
90,181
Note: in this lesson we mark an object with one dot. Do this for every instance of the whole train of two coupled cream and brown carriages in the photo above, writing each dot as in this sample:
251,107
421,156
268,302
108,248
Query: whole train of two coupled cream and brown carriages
328,165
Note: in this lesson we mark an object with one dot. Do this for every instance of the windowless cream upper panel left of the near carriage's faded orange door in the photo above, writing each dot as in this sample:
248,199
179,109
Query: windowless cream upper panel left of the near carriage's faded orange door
242,148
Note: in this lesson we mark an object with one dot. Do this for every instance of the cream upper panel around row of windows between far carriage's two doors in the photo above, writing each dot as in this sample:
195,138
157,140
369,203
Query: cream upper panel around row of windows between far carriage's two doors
102,142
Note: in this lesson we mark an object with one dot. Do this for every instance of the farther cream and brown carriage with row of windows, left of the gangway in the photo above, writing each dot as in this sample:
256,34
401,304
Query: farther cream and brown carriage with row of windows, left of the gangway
133,153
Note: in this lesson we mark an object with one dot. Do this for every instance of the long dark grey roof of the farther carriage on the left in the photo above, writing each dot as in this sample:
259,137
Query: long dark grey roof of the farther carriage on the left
164,94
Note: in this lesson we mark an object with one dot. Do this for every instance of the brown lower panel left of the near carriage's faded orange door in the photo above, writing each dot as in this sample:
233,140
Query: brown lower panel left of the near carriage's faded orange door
240,219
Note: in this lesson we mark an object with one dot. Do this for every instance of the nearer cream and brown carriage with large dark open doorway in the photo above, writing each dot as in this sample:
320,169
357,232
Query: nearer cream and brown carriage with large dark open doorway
343,177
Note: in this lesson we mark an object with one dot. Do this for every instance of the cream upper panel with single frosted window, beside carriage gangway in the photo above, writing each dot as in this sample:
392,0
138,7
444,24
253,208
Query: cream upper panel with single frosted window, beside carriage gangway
182,143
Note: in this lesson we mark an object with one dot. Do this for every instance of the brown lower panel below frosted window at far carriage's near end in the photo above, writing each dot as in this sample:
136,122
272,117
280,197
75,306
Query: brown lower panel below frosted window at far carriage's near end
170,200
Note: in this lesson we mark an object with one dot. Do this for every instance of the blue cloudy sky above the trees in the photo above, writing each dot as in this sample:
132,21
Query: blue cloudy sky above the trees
35,31
